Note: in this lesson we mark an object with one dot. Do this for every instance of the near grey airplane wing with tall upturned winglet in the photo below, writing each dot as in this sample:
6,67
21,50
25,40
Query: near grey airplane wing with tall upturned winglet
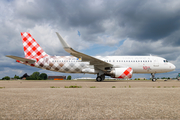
85,58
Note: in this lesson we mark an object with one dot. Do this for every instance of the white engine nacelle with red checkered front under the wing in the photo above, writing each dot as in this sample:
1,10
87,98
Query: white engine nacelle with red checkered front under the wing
123,73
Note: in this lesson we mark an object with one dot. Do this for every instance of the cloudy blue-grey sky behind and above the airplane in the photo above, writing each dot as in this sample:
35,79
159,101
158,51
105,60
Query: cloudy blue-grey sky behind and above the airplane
93,27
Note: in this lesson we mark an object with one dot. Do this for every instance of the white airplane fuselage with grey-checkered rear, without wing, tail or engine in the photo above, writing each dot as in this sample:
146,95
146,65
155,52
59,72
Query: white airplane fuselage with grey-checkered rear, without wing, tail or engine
139,64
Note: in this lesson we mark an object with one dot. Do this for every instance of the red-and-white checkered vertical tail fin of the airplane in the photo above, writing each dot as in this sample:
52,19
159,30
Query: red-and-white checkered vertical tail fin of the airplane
31,48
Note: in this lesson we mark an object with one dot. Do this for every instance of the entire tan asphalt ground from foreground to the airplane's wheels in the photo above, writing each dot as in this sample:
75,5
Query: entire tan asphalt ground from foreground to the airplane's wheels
138,100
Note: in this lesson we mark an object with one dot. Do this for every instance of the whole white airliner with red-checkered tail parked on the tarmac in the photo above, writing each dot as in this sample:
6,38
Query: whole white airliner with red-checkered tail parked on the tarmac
122,67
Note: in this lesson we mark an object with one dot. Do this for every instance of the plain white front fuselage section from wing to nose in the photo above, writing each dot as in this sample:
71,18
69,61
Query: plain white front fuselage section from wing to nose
142,64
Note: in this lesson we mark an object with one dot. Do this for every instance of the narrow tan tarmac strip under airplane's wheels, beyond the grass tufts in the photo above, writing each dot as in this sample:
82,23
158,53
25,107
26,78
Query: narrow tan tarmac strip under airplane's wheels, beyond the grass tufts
89,83
